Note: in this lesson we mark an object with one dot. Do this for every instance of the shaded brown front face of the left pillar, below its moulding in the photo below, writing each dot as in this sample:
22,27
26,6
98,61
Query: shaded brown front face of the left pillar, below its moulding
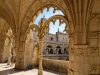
20,56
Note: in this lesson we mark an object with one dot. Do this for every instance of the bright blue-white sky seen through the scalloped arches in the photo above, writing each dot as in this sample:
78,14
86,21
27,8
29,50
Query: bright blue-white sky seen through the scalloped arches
48,14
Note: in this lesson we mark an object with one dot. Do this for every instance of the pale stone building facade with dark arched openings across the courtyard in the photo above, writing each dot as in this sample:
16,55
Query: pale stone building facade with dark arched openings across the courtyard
54,42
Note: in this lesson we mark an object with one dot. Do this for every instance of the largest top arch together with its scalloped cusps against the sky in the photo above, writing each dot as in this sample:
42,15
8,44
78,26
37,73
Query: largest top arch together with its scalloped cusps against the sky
38,10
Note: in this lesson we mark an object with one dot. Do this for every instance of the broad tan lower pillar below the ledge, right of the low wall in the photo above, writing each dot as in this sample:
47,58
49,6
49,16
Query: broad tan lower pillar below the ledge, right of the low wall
80,60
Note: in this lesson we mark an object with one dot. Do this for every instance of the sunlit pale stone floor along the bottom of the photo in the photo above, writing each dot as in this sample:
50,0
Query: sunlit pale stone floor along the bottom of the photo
7,70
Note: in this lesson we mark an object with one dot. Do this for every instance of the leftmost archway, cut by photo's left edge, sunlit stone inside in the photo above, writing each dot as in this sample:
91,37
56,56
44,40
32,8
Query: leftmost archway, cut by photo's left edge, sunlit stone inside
7,45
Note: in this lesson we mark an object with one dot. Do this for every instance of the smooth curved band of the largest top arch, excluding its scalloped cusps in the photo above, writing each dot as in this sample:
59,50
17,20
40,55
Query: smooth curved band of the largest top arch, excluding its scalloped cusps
32,13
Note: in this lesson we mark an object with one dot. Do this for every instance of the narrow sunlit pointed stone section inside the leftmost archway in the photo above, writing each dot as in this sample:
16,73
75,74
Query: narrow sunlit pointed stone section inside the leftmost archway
8,46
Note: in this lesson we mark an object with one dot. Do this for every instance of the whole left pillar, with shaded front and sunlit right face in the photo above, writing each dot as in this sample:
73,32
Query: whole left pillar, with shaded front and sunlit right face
22,47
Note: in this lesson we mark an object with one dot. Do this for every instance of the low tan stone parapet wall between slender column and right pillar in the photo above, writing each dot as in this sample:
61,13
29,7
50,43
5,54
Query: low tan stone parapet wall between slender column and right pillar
56,65
